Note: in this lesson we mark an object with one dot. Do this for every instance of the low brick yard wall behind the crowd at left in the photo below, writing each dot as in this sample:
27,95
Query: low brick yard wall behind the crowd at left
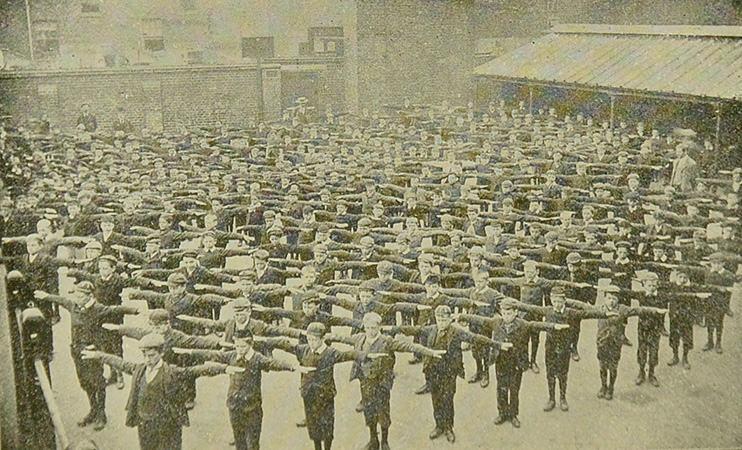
151,98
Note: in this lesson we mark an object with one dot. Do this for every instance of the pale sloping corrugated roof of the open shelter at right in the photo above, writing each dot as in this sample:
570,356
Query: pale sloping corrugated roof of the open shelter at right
656,63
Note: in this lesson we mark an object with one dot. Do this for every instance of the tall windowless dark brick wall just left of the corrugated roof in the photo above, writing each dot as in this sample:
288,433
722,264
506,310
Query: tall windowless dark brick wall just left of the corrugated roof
416,49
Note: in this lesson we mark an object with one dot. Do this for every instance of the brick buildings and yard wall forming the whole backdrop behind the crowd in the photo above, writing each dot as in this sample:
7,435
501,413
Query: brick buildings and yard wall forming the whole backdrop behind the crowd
341,54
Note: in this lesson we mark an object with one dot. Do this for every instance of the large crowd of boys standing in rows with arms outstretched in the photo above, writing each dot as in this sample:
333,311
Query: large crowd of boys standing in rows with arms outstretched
462,229
